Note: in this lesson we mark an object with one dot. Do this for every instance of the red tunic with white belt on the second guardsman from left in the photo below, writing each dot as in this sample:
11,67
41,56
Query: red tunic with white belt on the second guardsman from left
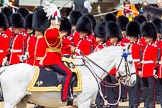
17,47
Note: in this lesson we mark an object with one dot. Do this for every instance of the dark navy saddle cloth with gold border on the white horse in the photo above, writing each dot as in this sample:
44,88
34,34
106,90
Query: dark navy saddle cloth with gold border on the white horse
44,80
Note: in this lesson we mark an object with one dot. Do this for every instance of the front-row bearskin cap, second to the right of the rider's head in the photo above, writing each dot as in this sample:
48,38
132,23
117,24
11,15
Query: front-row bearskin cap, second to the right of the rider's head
84,24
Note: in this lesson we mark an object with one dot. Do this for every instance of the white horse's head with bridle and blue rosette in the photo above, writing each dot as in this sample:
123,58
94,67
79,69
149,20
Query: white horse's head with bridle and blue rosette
126,68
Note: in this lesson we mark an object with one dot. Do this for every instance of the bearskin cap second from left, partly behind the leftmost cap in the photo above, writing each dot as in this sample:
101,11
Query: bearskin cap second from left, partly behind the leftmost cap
7,12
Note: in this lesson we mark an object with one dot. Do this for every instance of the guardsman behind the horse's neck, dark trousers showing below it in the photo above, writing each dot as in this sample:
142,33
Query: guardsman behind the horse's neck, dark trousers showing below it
113,32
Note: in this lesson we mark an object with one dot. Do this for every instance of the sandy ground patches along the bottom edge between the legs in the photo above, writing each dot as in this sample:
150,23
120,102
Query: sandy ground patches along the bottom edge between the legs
121,105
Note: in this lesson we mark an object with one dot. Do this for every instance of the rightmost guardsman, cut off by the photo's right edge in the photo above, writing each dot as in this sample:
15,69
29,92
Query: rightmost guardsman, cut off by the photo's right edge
158,68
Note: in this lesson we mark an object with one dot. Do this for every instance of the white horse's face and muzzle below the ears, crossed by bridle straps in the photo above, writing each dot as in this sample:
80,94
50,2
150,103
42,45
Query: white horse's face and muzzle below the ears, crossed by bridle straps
127,70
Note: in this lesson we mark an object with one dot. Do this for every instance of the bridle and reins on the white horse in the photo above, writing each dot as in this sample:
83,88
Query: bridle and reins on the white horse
120,79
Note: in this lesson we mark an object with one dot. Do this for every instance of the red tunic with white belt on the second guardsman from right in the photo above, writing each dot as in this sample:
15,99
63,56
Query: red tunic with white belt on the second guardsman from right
149,59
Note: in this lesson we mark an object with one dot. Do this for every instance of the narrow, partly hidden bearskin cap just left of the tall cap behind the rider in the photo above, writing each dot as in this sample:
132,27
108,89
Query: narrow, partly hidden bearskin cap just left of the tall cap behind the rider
28,21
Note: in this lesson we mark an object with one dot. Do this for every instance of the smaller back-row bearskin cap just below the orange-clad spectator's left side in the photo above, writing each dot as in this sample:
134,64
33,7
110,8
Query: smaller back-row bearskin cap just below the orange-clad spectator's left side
122,21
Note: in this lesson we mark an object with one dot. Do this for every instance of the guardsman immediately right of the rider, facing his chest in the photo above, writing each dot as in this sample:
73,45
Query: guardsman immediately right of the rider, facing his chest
65,33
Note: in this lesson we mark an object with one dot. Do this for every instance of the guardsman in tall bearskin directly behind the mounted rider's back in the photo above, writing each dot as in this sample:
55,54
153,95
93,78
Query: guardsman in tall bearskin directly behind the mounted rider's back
39,24
